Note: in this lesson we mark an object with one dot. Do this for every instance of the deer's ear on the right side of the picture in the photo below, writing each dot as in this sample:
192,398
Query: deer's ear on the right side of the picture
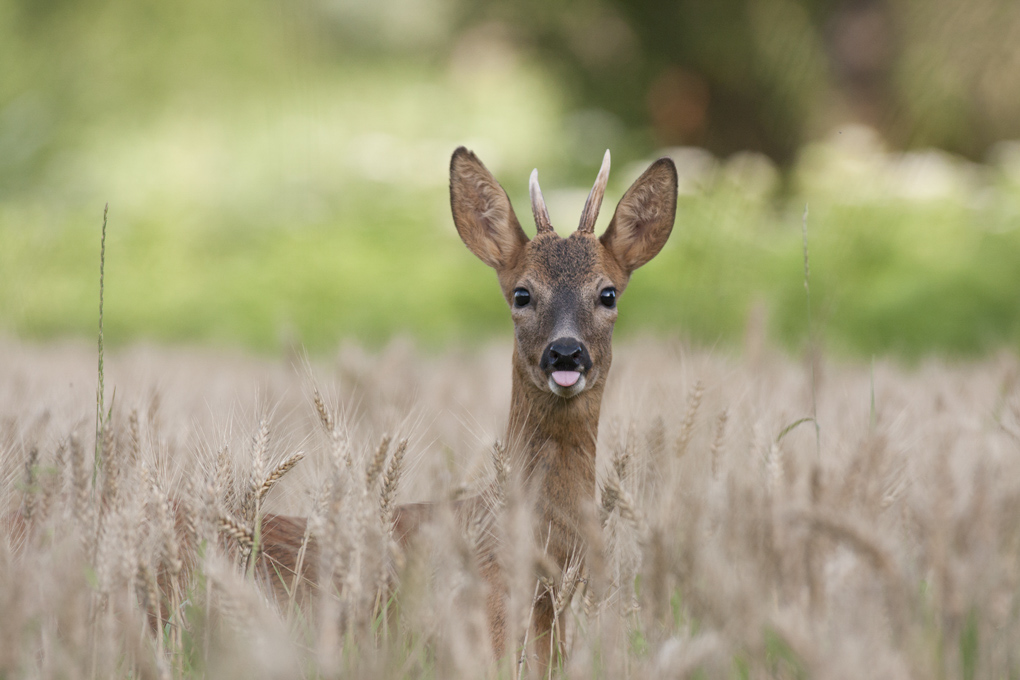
644,218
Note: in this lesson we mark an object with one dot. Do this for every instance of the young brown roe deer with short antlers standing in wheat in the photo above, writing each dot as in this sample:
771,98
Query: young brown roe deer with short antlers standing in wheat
563,295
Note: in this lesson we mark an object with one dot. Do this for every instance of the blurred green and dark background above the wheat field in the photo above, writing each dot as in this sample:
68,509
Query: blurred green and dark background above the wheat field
277,172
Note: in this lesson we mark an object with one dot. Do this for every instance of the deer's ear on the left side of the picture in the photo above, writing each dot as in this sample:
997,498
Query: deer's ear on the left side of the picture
482,213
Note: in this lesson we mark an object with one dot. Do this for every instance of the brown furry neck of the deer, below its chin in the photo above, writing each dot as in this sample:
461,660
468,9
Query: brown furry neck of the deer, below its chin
553,441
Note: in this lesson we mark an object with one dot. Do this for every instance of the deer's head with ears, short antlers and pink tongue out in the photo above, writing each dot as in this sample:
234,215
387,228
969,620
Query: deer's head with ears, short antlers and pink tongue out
563,293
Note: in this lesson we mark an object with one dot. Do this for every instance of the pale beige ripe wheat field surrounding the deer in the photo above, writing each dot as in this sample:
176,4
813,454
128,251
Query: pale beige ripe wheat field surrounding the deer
736,540
